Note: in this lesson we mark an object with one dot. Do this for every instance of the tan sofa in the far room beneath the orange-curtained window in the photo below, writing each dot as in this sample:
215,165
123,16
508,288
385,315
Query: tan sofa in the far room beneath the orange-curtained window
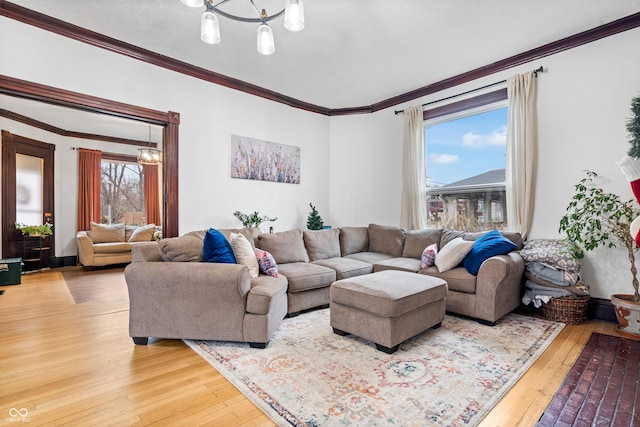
108,244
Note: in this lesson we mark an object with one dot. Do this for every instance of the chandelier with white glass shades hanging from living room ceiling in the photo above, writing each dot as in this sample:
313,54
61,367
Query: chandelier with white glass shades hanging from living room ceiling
210,27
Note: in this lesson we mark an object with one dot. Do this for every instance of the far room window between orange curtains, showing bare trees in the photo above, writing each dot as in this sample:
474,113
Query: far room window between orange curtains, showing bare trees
122,191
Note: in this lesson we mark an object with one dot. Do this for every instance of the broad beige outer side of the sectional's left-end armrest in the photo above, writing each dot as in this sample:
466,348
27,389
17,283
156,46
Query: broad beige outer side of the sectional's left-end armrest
187,300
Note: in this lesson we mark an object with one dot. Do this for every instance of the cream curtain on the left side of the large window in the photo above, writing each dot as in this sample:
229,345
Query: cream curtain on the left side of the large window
413,209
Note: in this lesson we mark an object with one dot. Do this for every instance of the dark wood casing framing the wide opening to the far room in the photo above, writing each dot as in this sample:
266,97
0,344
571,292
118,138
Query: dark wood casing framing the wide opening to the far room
170,120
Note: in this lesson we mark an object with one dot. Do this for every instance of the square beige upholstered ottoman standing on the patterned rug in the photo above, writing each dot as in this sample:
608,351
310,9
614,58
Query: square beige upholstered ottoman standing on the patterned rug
387,307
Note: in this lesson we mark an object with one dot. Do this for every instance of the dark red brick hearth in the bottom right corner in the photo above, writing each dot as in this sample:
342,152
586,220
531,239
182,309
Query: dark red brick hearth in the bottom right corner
601,387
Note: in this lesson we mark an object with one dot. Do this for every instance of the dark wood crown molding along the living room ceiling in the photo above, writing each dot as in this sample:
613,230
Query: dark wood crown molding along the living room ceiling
66,29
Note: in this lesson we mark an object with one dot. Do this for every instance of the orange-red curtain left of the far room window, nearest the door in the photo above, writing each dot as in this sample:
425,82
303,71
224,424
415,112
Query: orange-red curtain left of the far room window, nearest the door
88,187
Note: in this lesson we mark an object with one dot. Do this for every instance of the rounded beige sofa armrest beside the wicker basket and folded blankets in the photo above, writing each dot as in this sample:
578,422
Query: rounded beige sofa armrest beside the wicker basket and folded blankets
499,286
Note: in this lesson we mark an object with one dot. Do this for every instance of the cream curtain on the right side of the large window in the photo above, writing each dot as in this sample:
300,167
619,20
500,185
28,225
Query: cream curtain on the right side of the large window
522,151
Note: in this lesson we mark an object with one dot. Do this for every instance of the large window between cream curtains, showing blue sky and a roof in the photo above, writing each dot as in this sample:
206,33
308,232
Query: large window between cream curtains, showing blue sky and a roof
466,165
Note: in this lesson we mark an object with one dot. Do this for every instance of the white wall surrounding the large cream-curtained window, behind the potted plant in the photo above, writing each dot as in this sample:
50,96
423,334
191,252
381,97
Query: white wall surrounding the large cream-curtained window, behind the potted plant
583,103
